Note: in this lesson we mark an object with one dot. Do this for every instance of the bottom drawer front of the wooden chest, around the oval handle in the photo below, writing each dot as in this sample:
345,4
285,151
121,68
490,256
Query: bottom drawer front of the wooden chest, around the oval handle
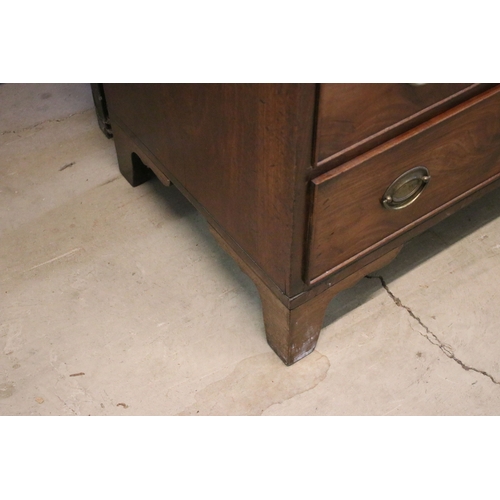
460,149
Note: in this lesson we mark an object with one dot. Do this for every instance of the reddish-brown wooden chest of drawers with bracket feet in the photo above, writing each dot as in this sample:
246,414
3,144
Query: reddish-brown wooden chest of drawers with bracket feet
311,186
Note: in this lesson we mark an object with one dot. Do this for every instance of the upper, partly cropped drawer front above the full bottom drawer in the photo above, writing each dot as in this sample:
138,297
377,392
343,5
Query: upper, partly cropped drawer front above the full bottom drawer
350,113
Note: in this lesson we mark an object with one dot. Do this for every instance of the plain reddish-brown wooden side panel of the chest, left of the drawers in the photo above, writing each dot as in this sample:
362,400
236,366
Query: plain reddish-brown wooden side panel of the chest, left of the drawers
241,151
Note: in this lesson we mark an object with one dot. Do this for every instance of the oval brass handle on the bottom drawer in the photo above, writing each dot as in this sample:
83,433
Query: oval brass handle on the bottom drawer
406,188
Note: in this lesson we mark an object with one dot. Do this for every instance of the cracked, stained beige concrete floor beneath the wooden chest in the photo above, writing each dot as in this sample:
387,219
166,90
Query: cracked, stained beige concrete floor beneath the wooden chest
117,301
